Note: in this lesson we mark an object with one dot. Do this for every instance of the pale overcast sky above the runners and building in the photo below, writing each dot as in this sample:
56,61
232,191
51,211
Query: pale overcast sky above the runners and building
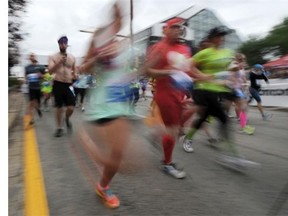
46,20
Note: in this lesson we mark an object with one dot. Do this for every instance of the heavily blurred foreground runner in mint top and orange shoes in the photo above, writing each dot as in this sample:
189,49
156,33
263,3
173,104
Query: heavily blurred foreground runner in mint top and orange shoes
108,108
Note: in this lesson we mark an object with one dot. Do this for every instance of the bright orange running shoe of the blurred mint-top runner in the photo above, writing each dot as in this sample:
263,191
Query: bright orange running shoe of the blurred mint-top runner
110,199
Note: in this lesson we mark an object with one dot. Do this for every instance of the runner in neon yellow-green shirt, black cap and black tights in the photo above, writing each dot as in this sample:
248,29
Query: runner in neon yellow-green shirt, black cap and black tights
213,60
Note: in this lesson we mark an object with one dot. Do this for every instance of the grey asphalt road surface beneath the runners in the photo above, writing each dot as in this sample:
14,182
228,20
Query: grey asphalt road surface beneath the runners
209,189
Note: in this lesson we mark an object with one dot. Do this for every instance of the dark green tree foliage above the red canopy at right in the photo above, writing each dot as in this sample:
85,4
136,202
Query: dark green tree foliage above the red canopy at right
274,44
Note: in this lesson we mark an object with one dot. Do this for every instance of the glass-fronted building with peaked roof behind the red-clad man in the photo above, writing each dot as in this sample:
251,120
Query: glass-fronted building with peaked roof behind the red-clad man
198,22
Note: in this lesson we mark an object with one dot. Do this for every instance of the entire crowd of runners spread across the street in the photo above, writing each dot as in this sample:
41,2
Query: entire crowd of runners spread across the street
199,86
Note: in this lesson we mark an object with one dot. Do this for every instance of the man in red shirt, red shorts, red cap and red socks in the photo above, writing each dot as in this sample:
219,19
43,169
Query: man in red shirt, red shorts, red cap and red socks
163,58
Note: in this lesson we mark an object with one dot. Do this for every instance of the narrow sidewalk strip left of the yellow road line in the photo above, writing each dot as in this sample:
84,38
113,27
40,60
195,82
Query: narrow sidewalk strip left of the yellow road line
15,153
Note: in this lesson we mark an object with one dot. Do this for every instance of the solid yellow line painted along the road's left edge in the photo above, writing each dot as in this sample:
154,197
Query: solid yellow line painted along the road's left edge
35,195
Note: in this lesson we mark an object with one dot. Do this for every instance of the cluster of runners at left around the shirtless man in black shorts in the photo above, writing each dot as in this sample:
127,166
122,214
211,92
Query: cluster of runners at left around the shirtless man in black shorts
59,80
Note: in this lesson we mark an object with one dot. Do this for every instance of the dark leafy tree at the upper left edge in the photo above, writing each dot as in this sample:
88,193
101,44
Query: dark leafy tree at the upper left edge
15,34
